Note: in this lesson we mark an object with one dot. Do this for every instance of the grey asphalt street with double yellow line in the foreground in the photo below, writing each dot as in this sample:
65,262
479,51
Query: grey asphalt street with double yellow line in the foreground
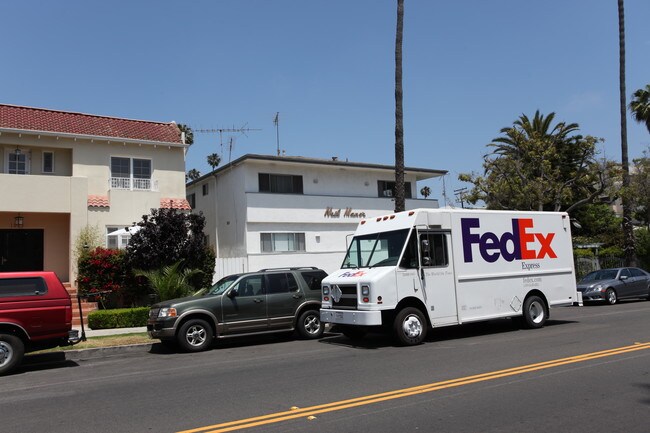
588,370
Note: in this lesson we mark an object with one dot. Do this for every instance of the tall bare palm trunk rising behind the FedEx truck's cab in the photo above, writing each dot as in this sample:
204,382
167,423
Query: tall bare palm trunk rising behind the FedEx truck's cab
399,113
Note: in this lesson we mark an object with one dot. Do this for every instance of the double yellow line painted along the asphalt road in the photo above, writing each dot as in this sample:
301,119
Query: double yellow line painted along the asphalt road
406,392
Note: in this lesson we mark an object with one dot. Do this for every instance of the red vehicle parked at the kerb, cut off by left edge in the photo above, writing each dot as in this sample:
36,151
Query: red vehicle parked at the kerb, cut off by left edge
35,314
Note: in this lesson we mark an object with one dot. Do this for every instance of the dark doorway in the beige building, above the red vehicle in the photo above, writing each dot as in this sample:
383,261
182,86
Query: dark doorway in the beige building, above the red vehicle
21,250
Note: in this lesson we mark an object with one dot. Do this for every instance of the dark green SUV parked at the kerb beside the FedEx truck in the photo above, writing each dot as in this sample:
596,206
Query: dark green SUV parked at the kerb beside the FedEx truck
271,300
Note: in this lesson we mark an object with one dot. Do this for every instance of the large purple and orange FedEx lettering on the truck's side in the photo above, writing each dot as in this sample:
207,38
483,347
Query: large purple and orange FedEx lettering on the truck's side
514,245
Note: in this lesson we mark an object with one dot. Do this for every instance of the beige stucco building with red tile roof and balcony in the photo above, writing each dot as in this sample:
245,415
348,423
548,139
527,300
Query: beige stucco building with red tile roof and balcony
62,171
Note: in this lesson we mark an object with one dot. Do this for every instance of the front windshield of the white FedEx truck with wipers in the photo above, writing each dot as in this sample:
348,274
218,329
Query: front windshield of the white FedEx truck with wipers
376,249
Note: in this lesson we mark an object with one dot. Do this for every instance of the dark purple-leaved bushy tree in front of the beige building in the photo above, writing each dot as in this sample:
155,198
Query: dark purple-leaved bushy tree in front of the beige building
168,236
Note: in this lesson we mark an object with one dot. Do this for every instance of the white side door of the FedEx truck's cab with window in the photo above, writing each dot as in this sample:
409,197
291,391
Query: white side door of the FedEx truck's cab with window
436,271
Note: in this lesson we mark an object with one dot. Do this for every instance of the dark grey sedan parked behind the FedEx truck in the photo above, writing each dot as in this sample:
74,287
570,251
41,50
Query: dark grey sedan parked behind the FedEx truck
610,285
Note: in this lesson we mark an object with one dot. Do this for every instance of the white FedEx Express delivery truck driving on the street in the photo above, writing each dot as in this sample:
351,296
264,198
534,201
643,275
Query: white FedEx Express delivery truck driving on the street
424,268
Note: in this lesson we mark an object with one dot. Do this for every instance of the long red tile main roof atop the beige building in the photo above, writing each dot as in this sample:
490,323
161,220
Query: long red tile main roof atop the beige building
44,120
